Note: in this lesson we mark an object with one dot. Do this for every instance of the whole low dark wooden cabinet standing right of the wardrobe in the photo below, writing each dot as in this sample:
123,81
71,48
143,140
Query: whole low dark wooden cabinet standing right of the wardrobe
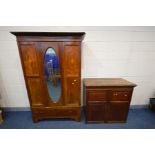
107,100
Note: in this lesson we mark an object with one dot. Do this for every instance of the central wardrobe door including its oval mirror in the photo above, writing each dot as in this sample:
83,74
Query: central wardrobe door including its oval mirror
50,62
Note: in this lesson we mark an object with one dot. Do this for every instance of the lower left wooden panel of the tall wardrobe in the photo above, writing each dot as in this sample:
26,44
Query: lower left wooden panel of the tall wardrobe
35,91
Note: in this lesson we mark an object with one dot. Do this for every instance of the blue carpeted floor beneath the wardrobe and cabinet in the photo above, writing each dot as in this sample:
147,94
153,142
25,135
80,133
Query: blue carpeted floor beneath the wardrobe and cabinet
137,119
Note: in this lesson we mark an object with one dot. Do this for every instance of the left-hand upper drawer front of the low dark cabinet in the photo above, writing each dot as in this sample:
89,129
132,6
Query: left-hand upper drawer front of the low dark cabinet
97,95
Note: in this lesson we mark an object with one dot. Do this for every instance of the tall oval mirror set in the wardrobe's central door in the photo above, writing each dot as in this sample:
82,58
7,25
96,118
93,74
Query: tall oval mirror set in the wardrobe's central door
52,73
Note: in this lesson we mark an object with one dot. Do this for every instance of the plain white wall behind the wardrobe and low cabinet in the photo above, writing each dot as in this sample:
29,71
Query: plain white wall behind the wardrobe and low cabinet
126,52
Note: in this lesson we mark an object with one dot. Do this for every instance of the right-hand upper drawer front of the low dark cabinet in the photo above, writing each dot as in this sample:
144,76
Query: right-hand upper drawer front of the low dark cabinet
120,95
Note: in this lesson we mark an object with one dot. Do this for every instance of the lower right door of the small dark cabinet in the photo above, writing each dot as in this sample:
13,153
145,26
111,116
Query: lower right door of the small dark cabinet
116,111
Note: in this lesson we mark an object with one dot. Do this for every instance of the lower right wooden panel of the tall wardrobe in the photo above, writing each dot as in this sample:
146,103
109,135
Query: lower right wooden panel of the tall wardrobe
73,91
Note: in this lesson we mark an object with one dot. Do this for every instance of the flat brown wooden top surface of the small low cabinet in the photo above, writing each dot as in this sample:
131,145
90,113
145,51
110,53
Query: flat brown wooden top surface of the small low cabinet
109,82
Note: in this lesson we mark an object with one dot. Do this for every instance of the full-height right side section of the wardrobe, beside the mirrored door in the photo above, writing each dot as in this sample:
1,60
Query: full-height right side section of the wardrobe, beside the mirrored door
72,70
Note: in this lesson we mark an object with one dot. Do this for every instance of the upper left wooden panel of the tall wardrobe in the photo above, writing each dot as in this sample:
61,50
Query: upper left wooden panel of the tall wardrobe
29,57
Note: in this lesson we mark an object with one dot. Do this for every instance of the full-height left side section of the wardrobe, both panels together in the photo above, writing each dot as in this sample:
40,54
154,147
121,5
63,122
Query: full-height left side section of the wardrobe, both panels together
29,60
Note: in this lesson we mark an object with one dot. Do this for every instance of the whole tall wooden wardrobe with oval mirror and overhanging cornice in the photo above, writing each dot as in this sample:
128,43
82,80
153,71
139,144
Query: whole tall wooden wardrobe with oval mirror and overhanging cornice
51,63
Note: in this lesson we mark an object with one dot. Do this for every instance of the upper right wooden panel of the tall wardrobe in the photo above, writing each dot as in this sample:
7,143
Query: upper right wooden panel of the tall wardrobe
72,59
